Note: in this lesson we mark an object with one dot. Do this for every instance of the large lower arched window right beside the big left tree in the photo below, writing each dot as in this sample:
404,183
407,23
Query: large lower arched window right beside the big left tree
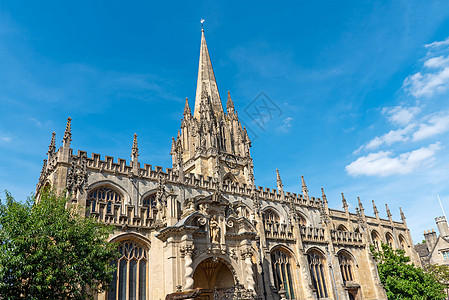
129,281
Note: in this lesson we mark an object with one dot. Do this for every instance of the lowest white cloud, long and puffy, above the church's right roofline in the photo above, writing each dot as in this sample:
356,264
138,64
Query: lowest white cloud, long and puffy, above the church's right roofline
384,164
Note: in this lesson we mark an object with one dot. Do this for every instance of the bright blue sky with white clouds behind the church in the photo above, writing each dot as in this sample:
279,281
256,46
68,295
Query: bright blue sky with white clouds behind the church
362,88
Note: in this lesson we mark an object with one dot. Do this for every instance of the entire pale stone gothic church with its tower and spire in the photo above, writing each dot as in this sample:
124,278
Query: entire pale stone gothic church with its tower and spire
203,229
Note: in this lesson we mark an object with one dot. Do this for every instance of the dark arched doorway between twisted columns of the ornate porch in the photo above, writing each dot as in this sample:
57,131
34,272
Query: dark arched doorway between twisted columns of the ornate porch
213,275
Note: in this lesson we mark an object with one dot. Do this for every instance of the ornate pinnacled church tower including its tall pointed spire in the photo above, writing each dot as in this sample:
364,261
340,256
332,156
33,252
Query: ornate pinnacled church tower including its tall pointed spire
212,142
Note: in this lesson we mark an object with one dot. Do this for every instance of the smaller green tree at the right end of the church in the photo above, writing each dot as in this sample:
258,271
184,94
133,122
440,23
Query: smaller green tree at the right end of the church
403,280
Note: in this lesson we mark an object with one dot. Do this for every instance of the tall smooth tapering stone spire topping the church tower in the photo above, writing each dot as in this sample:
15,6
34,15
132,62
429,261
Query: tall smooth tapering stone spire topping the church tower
206,81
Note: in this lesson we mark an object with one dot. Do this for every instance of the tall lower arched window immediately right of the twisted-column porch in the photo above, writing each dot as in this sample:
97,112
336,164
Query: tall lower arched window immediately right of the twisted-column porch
281,263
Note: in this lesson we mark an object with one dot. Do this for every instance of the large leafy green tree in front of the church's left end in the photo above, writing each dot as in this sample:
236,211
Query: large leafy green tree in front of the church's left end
48,251
